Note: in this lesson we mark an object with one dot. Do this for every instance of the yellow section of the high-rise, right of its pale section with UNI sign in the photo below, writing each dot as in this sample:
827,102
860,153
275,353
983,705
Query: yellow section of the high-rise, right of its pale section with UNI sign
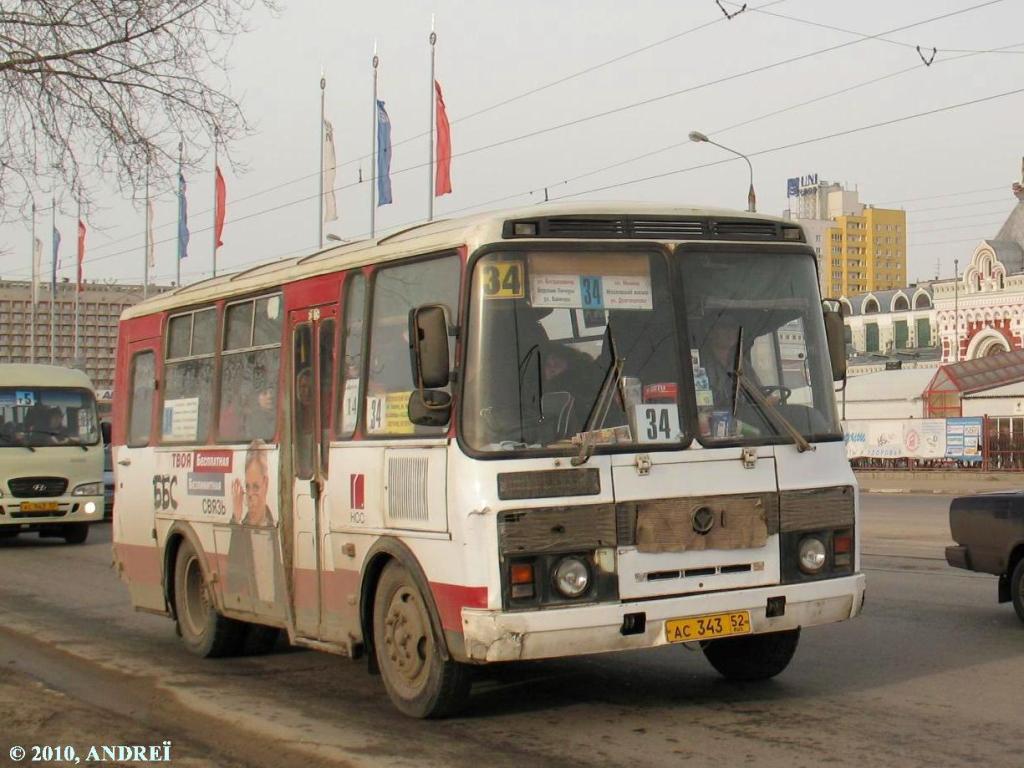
865,252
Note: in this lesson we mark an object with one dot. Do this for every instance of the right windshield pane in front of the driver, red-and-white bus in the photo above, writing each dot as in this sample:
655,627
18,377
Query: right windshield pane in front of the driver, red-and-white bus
755,326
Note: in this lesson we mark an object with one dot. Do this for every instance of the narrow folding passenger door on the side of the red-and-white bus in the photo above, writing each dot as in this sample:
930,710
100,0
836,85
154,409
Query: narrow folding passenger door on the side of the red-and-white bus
313,382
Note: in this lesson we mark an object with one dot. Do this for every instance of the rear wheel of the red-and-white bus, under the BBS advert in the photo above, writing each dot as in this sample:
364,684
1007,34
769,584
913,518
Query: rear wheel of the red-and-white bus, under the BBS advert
204,631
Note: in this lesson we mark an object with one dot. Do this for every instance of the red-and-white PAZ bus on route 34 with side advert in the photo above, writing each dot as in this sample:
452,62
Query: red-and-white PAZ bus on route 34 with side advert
554,432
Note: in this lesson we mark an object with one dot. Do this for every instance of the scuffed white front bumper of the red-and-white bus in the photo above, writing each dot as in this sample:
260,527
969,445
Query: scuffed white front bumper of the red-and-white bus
498,636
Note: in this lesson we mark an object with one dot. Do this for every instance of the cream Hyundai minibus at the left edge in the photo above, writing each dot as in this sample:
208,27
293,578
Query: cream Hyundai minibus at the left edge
52,455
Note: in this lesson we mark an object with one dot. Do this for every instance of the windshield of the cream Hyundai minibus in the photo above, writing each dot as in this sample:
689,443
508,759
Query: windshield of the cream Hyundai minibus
38,417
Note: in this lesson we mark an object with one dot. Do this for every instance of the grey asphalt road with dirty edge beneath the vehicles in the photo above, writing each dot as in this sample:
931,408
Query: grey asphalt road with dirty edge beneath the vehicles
930,675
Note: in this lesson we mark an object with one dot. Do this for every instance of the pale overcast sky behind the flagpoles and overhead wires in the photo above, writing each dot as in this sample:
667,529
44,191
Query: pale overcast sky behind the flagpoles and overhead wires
593,100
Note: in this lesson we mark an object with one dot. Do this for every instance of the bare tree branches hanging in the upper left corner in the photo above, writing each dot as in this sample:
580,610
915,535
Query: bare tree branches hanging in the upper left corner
93,89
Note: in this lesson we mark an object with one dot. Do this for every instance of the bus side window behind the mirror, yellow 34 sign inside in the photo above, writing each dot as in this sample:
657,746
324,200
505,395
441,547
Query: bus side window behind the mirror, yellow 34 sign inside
397,291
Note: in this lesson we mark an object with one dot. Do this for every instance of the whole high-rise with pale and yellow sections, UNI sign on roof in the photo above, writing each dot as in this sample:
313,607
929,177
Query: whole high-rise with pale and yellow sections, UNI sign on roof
861,248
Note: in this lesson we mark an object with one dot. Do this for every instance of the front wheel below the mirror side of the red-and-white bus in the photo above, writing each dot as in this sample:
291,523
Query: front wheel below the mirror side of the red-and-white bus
419,680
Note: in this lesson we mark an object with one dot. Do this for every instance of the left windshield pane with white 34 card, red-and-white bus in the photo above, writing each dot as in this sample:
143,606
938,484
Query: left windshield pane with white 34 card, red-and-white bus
546,329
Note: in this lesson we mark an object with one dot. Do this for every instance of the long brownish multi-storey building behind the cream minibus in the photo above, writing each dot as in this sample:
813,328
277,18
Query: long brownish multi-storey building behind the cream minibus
100,309
